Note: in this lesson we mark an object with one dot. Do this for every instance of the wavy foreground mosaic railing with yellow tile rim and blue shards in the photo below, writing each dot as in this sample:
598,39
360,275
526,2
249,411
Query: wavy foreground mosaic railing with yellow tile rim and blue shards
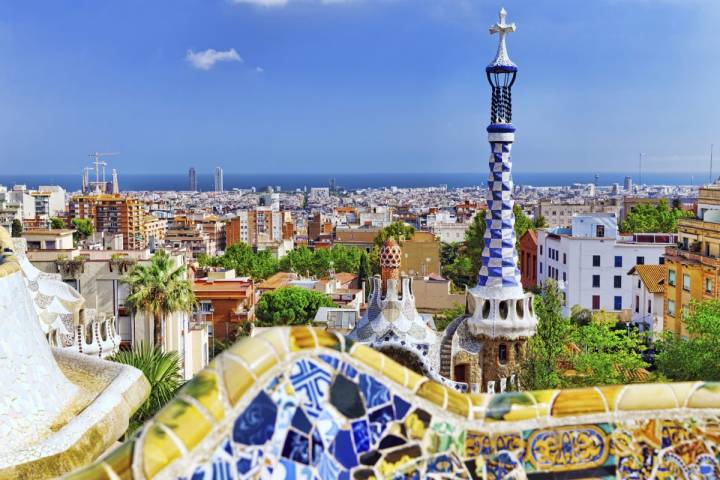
304,403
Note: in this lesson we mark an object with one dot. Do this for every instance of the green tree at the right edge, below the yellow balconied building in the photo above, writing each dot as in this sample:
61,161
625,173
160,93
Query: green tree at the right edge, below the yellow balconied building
696,357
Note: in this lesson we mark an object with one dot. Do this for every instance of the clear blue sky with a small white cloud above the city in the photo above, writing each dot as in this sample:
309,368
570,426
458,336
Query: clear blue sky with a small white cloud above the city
354,86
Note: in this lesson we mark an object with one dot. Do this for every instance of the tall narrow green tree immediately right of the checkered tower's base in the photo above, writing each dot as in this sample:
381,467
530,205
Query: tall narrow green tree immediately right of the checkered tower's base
548,347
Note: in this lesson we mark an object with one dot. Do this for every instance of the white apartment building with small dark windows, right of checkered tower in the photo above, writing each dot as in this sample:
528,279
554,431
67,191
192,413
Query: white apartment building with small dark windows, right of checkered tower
590,261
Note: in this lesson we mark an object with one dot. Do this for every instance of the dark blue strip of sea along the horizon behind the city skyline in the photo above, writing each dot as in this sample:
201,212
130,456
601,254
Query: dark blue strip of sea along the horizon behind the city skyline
351,181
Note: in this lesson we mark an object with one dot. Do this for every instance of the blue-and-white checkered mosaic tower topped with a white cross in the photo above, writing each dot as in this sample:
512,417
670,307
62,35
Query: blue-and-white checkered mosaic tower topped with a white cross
501,313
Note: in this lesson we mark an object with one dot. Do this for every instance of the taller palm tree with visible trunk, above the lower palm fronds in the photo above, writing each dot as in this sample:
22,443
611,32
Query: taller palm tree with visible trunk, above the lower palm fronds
159,289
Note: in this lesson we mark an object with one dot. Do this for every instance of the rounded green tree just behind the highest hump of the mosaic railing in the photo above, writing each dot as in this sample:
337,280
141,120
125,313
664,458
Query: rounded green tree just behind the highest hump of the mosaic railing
289,306
